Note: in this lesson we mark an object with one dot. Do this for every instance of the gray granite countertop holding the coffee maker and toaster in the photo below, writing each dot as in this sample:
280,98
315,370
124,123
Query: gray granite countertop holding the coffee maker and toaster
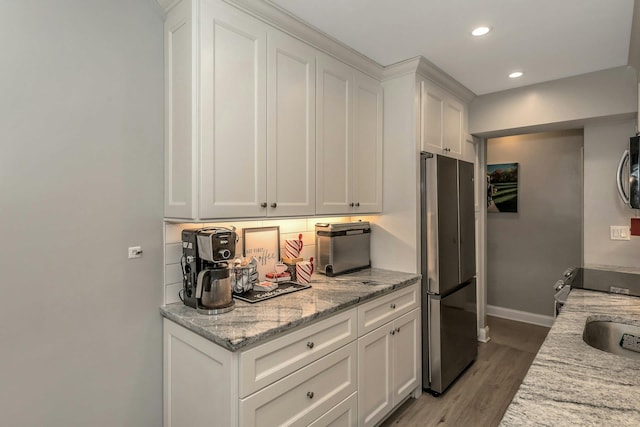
249,323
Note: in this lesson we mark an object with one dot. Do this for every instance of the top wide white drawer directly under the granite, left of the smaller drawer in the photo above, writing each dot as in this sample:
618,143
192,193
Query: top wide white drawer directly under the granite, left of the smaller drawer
267,363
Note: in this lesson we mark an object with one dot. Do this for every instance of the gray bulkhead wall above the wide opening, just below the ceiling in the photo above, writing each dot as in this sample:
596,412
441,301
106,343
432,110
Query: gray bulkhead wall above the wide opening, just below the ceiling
565,103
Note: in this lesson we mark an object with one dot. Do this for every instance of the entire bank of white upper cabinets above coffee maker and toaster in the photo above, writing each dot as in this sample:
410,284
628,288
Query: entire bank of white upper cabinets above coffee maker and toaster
240,121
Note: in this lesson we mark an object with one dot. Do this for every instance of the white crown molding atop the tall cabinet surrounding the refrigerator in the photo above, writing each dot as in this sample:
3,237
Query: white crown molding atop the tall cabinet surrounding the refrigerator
429,70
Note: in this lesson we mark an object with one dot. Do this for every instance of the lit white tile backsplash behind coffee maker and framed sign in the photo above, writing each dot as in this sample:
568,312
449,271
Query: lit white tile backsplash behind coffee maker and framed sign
289,229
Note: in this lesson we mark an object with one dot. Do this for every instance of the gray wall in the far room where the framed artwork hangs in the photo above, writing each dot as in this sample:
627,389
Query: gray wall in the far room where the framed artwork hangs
528,251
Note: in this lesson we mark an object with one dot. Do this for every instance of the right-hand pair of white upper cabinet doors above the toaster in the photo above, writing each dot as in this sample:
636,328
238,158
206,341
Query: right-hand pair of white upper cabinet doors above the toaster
349,149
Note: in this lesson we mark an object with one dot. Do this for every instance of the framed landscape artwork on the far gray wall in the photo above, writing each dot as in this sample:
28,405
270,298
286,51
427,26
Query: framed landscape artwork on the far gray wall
502,187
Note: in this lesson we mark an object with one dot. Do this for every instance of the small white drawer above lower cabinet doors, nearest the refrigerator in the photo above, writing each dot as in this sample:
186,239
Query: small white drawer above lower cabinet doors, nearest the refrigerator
384,309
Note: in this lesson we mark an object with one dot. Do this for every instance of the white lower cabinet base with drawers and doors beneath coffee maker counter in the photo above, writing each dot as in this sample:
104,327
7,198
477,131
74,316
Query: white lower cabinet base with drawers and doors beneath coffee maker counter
335,372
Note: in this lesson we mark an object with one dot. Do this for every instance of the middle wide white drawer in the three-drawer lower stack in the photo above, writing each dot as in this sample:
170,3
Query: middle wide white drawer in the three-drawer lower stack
305,395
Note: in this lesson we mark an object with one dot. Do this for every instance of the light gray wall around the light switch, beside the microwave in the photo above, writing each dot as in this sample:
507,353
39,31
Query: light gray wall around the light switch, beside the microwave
603,146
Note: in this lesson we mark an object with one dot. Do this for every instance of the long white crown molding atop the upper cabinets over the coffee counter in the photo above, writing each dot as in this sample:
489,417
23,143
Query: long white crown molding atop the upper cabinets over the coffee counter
283,20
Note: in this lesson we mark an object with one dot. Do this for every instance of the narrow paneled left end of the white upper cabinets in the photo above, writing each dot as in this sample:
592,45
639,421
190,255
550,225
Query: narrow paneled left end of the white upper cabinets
179,97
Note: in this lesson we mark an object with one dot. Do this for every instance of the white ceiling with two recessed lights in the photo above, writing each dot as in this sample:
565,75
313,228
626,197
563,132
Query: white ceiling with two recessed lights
546,39
